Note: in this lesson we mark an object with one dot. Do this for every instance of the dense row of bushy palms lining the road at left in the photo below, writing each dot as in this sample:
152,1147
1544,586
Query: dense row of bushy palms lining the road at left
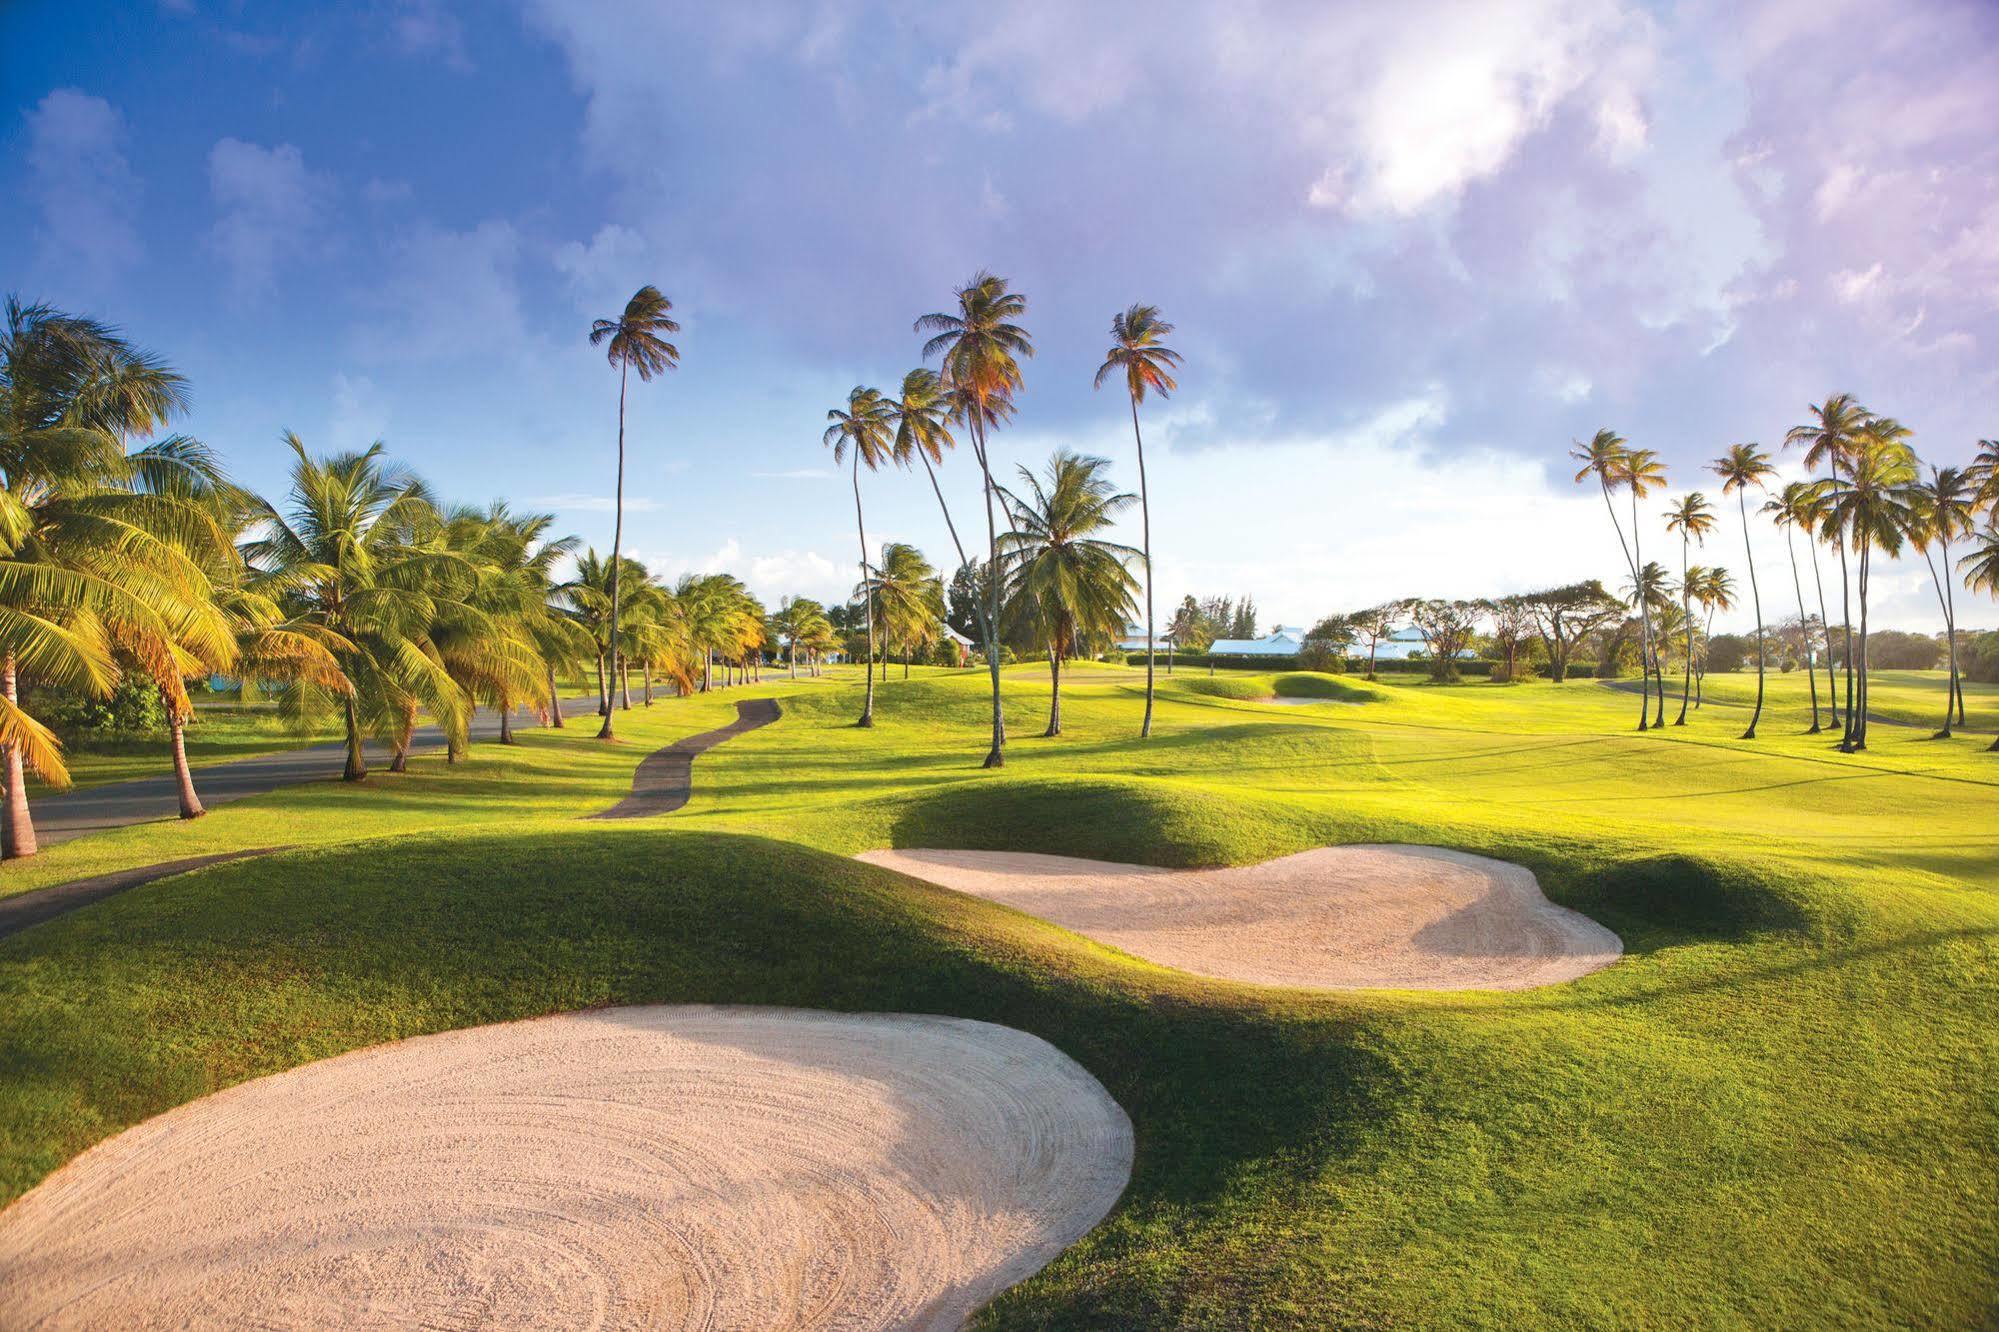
359,597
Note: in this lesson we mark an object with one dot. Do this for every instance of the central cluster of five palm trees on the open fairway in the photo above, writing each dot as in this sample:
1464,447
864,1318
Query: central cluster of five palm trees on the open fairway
1038,565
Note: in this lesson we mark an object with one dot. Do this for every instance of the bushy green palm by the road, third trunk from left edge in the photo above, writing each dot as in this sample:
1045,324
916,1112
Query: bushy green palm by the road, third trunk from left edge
355,567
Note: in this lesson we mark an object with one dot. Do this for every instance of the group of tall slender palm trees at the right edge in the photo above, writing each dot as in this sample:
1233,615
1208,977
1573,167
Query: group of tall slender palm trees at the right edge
1866,495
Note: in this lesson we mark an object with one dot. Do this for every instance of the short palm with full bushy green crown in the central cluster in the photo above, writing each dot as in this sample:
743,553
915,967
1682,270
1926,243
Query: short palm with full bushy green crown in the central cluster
1060,577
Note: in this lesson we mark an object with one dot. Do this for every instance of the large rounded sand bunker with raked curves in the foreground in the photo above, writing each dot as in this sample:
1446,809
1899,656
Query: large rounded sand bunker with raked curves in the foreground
635,1167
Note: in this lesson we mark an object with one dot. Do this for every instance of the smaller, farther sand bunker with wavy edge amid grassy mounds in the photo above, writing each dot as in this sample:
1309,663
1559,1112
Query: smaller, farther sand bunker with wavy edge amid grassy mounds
1342,917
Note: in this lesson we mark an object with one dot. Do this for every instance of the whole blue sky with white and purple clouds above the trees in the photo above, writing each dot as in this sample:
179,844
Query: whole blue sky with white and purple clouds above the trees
1412,251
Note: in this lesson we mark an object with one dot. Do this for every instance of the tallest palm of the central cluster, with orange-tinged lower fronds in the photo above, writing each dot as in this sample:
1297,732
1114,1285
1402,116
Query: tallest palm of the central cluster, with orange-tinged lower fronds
981,347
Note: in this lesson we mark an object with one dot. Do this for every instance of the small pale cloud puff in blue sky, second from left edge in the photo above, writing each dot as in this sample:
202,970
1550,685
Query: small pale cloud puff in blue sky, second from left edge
271,211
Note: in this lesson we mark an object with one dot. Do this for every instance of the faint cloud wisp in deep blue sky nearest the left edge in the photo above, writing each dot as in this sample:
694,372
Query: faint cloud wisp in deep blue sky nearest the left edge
83,187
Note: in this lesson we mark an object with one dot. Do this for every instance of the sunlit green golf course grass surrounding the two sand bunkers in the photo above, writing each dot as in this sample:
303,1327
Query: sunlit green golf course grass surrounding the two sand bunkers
1778,1111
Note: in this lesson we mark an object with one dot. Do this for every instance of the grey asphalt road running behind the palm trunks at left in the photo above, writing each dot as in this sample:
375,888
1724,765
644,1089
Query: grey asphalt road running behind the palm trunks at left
69,815
